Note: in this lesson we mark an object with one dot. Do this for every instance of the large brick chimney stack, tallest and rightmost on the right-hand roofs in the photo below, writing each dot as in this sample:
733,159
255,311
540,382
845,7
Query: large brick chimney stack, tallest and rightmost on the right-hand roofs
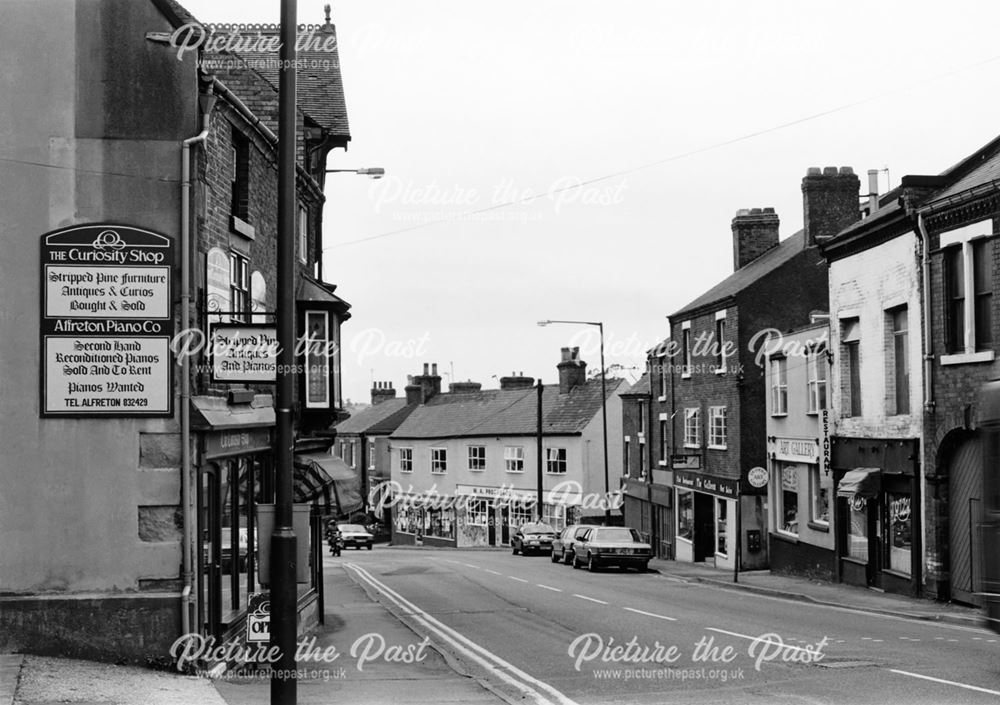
830,201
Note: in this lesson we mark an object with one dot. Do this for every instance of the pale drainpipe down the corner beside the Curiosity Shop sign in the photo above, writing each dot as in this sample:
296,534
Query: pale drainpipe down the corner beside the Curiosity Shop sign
187,574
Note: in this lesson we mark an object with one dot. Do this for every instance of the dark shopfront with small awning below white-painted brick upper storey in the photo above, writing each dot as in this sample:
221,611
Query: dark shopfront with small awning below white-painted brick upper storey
877,510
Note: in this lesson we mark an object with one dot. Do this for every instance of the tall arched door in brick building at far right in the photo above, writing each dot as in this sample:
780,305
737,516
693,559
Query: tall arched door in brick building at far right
964,518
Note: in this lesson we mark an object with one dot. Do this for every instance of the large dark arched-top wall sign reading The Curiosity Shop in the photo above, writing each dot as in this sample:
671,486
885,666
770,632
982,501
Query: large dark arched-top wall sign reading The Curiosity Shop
106,322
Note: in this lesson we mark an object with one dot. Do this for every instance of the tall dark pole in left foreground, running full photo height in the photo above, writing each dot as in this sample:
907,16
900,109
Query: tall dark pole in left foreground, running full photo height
284,617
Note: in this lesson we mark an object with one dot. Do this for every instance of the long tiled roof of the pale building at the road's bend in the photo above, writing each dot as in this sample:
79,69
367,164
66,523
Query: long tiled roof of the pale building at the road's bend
506,412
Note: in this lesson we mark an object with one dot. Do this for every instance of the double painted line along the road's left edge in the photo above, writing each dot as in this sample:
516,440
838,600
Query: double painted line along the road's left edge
540,692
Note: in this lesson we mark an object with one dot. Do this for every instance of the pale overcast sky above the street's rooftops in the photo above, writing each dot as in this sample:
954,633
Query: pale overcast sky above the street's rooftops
583,160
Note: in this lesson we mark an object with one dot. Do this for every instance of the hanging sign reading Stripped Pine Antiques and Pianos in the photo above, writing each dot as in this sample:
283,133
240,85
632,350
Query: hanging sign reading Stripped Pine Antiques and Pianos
244,352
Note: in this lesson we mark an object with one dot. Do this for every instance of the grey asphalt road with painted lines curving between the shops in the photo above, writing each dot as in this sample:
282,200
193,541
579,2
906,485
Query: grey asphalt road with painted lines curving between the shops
541,632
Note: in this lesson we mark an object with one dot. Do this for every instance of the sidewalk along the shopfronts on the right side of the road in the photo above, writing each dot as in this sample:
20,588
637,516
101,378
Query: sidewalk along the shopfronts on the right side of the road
764,582
